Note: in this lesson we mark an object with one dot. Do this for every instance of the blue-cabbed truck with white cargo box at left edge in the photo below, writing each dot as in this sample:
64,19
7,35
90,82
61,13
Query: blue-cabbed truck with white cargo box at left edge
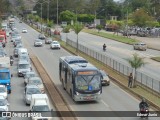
5,74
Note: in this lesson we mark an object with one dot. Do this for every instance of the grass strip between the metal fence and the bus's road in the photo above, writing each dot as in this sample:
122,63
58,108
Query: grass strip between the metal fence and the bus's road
119,77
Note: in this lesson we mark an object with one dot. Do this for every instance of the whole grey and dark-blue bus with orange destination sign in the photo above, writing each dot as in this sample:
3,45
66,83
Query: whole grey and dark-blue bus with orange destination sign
79,78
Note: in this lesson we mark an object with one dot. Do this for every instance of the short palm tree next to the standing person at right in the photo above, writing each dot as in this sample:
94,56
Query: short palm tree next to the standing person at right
136,62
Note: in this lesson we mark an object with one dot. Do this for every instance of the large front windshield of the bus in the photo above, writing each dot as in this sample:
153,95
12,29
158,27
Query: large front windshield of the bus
88,82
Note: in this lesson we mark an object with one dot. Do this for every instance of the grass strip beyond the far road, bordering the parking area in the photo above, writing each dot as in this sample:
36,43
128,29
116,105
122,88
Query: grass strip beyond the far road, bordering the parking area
111,36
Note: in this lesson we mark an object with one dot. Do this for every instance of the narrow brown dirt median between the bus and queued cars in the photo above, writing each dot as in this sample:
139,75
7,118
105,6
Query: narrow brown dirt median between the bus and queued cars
55,96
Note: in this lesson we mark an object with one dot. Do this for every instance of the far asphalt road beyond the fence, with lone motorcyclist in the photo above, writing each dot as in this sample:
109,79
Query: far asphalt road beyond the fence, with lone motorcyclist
118,51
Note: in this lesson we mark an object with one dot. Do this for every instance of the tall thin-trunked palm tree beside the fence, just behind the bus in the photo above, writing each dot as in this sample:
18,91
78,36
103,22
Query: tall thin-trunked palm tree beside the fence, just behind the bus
77,27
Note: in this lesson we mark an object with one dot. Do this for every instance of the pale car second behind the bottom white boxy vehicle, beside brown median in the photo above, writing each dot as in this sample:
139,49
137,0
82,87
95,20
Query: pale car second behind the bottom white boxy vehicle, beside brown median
36,81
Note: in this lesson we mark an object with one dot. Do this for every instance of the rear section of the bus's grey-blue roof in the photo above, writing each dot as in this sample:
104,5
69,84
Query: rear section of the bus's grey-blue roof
74,59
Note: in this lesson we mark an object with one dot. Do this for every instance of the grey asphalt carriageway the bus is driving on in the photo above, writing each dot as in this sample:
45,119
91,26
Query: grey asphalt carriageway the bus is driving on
113,98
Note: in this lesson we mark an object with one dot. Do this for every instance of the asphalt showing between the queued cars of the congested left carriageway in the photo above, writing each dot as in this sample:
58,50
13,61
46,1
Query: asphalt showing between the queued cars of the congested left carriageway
15,99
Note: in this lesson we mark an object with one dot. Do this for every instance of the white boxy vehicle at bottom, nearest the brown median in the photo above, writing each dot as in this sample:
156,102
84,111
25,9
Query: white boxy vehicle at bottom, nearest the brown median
40,103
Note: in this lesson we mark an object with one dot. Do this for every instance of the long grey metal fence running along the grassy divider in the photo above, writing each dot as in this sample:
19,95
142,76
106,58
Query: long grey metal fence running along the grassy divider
142,79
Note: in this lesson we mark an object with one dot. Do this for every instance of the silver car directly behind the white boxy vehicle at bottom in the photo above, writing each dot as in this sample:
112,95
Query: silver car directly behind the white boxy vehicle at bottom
29,91
